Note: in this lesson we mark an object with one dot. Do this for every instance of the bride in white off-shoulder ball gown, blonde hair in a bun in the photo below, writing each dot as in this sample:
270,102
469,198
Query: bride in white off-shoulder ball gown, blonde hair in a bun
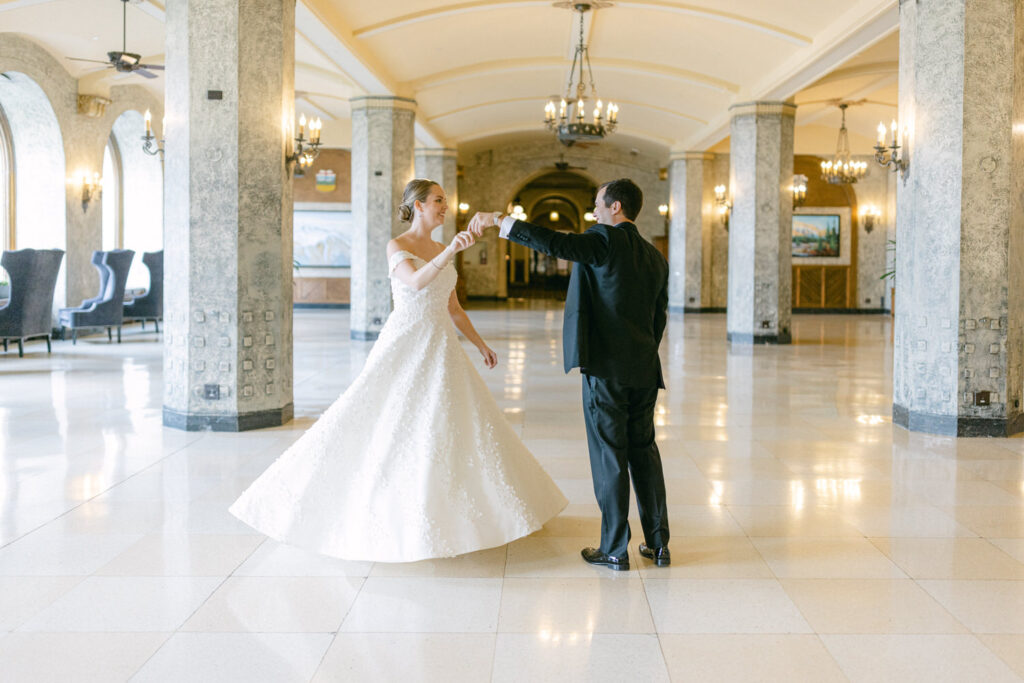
415,460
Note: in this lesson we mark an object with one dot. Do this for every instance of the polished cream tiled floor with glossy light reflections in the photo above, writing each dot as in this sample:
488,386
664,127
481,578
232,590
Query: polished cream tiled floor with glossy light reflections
813,541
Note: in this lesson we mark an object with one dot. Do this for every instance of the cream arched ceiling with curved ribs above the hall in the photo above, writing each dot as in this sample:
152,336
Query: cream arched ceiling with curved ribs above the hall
479,69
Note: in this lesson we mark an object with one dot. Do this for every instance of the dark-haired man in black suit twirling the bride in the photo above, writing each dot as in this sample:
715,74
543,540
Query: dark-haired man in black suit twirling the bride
616,313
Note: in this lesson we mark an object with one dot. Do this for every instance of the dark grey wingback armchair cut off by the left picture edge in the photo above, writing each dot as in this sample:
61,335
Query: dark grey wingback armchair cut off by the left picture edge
33,279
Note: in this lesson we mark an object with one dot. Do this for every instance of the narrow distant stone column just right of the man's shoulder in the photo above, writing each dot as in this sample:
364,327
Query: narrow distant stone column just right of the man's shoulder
690,231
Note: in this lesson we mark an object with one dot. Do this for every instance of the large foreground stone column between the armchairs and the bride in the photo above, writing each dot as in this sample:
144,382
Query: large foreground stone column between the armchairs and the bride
228,215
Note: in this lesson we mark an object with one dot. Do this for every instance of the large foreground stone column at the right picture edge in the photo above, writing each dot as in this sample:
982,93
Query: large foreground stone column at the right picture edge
959,338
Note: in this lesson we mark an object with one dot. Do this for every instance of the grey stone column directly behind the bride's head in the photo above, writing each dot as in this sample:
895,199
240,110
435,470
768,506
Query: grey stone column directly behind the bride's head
382,165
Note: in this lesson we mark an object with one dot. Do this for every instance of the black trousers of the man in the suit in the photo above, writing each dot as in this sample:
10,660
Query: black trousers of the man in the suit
621,436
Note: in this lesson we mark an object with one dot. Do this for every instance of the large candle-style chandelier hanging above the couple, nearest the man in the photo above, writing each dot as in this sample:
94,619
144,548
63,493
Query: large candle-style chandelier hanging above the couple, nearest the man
569,119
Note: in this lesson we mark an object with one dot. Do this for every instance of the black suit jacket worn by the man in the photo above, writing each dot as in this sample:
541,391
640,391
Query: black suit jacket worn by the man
617,305
